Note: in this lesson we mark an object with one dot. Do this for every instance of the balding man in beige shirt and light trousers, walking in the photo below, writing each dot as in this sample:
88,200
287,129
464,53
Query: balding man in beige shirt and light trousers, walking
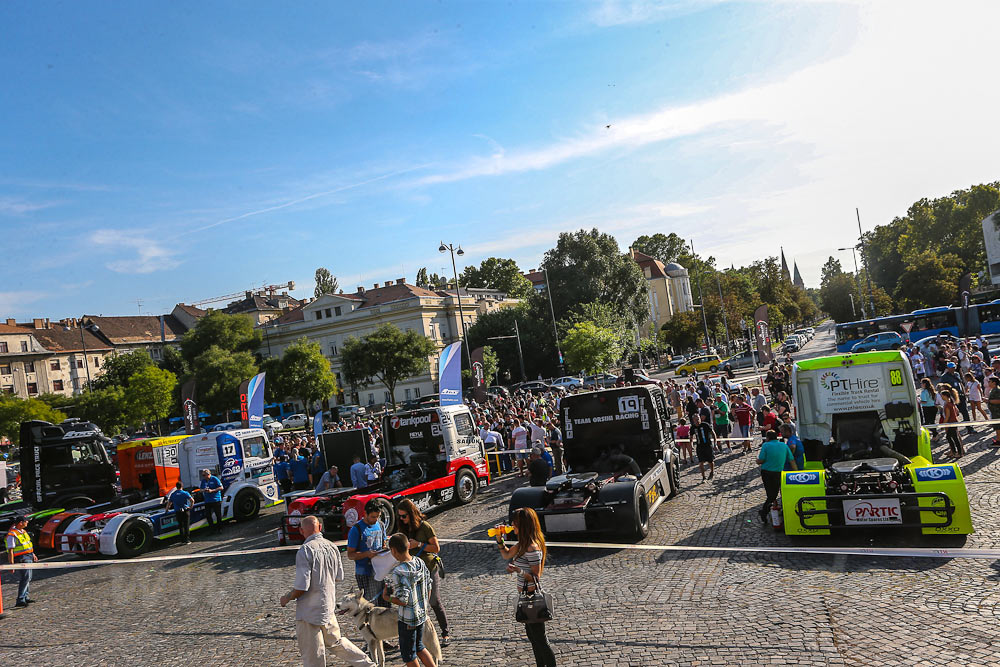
317,570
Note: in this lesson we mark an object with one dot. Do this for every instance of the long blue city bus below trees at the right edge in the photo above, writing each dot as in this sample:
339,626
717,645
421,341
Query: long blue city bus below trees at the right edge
984,318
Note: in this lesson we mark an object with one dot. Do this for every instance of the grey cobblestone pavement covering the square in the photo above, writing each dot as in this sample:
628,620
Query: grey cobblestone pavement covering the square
613,607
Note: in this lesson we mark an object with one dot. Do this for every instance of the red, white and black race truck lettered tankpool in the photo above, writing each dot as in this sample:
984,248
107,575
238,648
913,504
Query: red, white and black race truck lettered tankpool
434,456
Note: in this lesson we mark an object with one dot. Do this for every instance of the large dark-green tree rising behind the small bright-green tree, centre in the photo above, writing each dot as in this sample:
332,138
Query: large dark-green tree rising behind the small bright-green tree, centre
587,266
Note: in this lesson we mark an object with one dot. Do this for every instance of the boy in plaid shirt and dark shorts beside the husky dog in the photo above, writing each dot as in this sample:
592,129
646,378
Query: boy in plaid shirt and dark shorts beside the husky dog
410,583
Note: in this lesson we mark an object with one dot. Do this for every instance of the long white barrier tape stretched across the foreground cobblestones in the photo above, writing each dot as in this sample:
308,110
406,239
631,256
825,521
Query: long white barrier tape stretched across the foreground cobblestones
894,552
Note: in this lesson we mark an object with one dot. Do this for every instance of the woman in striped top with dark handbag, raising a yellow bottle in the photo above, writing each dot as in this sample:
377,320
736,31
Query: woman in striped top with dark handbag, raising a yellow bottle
527,562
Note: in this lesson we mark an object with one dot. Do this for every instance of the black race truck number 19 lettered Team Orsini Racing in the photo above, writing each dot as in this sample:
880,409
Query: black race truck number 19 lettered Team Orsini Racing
622,465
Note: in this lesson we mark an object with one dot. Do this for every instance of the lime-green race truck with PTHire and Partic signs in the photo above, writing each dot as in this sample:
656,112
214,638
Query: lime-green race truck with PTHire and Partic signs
867,458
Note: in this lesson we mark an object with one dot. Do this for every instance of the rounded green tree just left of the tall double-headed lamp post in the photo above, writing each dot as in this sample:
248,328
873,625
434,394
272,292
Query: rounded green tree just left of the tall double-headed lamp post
387,355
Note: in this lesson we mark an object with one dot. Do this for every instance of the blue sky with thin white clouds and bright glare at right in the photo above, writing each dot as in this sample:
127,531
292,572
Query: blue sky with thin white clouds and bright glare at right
167,152
